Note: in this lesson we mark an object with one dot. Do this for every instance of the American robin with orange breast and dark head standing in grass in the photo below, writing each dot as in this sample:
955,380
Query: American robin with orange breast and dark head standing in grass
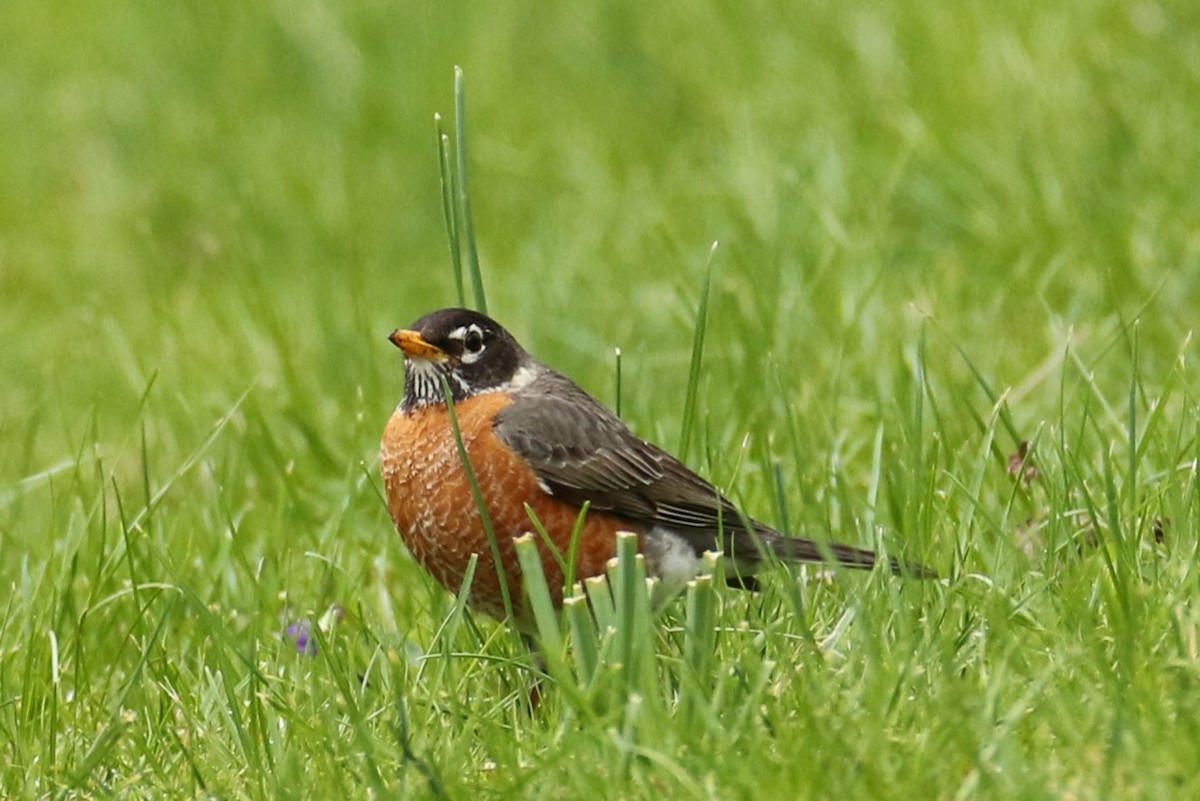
541,448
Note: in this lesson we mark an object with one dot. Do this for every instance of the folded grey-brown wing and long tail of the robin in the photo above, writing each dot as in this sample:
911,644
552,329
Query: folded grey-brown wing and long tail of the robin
581,453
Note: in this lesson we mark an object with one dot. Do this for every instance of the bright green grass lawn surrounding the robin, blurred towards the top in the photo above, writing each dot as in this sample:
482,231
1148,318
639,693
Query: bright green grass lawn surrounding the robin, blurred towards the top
945,230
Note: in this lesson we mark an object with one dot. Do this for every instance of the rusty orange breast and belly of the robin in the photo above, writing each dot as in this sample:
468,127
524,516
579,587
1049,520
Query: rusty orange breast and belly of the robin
431,502
